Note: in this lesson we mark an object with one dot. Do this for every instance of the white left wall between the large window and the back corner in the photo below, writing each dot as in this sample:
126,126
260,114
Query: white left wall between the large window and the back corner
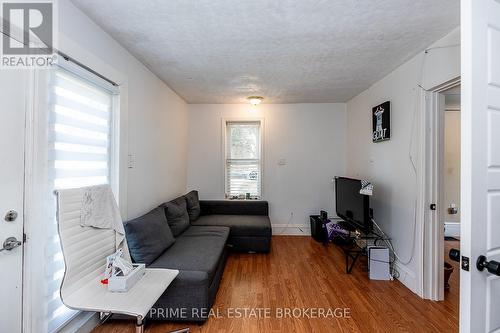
153,120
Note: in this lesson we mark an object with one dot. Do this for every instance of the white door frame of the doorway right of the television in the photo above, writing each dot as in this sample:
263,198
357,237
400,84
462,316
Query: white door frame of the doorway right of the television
432,146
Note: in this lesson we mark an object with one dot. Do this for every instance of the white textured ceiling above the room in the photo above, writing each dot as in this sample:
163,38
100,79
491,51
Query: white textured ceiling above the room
289,51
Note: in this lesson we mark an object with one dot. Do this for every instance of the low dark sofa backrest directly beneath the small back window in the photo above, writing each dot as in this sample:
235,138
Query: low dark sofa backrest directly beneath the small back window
234,207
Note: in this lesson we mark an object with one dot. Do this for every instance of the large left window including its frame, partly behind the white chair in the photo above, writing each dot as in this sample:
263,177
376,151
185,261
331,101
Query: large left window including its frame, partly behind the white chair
78,152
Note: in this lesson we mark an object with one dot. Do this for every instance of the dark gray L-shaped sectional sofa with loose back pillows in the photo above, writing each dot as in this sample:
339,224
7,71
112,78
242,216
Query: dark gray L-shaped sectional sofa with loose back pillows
196,237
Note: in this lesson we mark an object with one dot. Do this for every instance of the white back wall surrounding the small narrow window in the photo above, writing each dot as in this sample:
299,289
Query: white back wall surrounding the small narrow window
311,137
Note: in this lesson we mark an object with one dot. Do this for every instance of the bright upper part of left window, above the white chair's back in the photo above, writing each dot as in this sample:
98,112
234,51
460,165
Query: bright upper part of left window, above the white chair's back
80,128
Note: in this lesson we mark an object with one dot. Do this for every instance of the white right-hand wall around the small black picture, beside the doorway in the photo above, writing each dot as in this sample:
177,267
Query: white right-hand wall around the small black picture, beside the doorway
387,164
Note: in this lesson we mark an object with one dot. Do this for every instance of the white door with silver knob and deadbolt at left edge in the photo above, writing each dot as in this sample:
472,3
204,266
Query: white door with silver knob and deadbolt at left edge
13,84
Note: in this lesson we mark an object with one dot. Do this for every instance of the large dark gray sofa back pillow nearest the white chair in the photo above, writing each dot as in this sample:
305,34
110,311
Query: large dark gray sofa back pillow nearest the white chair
148,236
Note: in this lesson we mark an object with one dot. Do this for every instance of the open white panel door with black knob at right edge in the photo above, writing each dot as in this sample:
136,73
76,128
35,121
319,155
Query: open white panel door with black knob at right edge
480,194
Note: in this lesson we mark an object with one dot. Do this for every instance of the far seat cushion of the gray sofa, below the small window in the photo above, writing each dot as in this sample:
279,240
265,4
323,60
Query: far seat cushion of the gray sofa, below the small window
241,225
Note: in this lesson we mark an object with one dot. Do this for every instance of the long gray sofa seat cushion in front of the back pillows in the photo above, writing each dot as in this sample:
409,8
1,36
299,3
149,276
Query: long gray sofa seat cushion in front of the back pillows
197,249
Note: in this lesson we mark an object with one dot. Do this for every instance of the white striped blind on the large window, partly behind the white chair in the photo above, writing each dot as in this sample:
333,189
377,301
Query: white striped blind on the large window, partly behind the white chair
79,154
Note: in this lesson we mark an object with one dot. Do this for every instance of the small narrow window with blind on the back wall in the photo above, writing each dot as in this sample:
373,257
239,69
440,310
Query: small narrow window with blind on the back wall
243,164
